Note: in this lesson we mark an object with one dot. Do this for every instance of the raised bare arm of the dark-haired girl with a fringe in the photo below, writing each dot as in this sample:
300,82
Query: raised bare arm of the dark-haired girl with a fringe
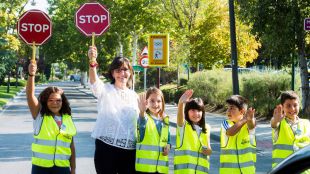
183,99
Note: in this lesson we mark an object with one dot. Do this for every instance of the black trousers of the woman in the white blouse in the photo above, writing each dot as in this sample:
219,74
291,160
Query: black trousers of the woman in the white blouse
113,160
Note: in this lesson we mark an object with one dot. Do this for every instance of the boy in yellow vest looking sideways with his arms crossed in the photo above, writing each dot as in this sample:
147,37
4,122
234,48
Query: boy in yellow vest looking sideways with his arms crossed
238,144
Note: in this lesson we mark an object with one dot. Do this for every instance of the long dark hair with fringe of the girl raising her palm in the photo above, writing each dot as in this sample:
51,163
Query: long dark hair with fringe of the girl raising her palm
196,103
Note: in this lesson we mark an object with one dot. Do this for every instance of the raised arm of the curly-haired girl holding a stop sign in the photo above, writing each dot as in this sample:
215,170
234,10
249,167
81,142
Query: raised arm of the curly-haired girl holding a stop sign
32,100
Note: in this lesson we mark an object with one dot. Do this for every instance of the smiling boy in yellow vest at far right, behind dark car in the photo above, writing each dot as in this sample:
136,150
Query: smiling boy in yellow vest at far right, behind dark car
289,132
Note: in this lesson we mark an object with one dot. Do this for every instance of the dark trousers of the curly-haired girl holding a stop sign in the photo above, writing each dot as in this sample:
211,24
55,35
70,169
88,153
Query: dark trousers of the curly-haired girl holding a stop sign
49,170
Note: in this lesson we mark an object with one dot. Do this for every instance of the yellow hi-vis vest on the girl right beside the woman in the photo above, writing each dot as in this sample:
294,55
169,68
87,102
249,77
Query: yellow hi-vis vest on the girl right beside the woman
149,151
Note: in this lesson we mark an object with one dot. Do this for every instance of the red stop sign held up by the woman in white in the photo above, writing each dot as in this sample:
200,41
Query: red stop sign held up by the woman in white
92,17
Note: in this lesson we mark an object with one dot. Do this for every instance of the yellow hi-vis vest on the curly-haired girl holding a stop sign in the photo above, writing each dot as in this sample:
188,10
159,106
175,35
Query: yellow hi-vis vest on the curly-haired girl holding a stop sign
51,146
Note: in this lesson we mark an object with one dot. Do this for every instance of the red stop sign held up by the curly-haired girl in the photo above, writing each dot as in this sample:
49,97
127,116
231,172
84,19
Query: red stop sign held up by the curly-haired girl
34,26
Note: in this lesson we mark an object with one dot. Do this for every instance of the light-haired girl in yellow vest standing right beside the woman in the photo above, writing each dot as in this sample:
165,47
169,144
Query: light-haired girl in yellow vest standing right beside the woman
153,144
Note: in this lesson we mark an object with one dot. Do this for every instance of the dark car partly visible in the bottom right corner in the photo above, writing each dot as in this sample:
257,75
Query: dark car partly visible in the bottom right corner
298,162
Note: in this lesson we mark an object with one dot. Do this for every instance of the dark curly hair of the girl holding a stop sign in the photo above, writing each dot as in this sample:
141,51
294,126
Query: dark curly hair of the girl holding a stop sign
43,98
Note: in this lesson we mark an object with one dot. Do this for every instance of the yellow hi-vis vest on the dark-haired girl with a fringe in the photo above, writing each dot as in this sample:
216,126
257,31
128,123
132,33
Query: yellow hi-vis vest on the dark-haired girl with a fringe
188,156
